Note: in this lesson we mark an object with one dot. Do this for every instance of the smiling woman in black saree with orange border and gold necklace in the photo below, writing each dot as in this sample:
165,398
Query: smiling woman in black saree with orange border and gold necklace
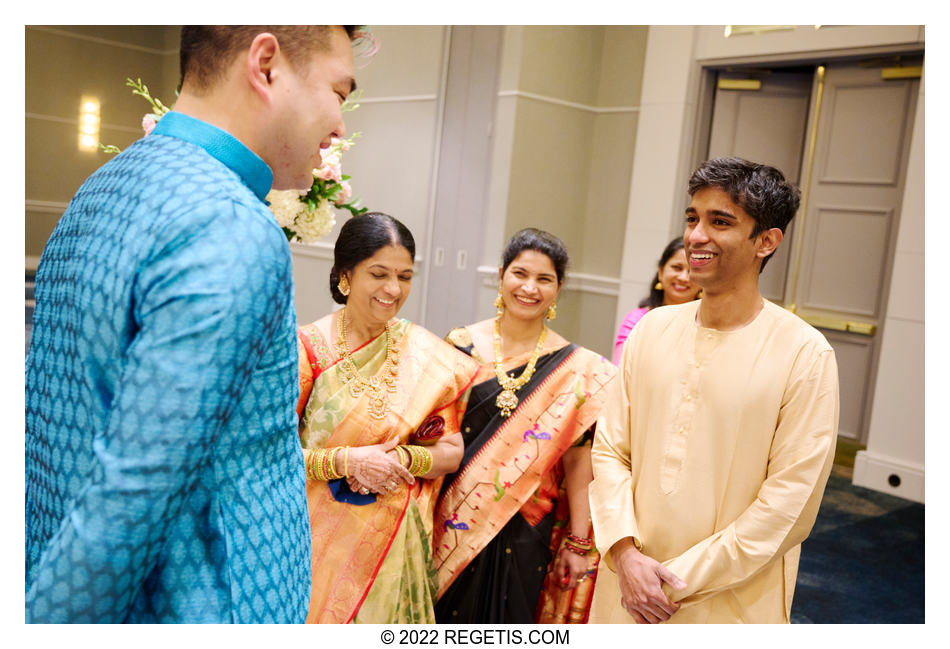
519,498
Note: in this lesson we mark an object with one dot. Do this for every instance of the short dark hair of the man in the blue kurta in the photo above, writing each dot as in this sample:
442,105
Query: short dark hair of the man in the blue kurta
207,50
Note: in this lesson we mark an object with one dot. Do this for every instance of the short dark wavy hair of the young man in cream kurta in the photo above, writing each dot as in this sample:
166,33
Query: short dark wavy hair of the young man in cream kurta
760,190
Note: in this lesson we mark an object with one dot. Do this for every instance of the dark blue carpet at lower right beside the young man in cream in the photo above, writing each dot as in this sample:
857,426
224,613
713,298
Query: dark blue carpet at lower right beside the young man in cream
864,560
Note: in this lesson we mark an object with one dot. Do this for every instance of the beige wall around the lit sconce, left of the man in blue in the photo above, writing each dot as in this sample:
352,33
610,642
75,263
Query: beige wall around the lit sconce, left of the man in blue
62,65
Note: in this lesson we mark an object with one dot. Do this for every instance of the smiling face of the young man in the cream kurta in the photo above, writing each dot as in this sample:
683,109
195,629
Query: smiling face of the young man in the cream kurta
721,252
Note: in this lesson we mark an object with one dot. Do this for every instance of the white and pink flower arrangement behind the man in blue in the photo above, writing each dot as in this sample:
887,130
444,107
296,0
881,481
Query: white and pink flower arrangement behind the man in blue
304,216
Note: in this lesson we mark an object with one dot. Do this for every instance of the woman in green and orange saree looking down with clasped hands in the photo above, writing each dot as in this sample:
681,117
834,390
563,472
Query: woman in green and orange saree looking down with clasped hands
380,404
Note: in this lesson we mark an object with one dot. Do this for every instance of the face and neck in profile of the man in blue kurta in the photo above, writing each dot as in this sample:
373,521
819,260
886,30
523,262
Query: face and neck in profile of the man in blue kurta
307,104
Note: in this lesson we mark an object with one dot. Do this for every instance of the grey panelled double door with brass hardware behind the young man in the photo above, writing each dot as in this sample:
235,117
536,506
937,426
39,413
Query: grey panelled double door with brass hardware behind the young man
842,132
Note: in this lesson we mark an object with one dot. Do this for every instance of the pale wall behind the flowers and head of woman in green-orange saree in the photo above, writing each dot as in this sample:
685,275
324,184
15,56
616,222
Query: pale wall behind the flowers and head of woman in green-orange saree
392,162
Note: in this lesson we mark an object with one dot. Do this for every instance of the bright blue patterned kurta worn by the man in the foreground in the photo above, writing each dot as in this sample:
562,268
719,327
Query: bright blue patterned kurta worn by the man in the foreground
164,476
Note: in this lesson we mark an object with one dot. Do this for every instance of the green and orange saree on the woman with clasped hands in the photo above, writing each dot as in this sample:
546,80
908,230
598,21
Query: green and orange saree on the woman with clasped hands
372,561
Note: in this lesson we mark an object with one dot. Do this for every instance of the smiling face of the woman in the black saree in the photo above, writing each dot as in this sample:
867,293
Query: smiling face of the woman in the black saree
529,285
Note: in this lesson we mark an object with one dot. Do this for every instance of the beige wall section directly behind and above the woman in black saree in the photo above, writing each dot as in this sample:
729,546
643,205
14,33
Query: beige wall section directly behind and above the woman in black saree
566,129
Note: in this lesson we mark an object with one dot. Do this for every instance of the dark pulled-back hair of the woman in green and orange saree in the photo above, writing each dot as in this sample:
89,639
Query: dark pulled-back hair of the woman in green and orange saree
360,238
